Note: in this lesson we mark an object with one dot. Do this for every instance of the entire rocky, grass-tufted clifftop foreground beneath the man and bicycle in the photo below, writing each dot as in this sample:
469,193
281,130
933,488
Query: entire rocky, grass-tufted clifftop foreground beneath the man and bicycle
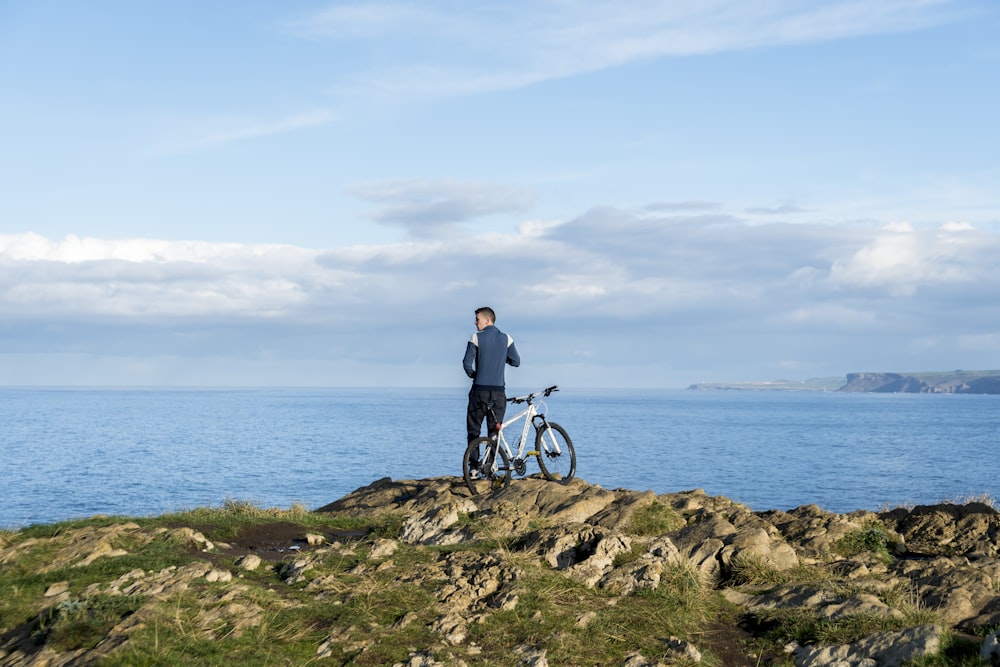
537,574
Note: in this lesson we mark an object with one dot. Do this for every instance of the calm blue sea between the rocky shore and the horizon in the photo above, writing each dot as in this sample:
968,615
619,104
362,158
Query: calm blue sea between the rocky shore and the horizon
70,453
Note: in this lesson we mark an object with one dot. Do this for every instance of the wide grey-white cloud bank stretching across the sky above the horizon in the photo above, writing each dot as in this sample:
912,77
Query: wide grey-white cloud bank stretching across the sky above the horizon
651,297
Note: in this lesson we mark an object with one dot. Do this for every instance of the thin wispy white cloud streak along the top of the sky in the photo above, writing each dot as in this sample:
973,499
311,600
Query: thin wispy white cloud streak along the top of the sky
509,46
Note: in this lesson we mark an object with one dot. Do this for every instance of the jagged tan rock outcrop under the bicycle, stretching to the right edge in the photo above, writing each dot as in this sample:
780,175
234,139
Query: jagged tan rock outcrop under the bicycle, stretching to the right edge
939,561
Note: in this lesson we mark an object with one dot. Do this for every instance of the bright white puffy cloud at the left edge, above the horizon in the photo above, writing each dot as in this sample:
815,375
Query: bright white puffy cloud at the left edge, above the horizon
149,277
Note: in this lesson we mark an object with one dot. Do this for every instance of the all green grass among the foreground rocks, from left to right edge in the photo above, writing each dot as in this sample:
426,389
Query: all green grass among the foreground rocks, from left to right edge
349,610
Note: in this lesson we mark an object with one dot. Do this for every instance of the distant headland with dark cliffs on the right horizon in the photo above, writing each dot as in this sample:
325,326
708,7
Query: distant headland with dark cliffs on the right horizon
932,382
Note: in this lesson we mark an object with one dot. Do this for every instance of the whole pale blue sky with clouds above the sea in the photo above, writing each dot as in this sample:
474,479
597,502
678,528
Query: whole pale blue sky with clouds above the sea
649,194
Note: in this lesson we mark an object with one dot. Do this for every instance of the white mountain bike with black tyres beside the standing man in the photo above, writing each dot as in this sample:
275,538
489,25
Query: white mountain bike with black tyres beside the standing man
553,448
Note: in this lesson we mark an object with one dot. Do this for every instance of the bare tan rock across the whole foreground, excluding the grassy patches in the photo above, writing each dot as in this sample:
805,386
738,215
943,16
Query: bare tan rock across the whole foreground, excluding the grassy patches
932,573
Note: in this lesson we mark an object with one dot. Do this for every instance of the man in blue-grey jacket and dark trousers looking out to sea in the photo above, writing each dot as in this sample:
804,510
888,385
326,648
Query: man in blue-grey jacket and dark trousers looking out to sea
485,356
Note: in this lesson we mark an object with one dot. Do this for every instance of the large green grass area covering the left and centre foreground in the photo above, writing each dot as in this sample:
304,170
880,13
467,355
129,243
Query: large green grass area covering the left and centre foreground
353,611
